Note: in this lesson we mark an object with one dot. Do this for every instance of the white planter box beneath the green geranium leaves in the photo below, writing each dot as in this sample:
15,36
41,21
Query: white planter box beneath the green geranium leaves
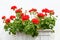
43,35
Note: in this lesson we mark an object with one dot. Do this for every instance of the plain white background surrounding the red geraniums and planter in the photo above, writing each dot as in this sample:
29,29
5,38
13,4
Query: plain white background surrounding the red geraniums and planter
26,5
